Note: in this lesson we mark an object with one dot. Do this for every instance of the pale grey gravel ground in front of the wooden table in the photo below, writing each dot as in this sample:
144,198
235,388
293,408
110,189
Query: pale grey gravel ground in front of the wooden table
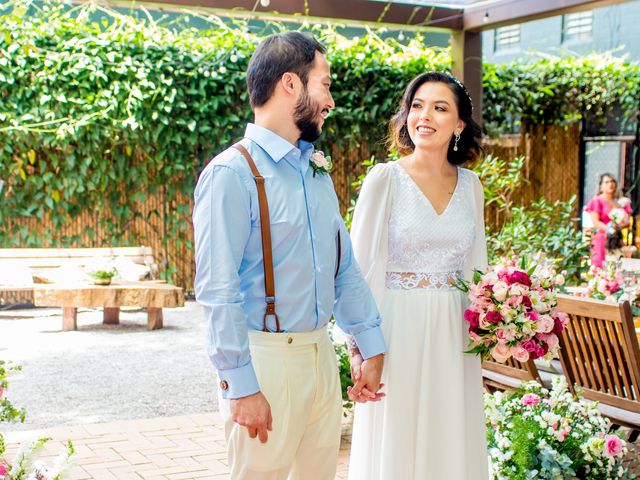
102,373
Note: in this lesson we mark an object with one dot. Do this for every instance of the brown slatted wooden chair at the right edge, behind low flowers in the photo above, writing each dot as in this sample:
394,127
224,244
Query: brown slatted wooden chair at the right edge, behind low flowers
601,358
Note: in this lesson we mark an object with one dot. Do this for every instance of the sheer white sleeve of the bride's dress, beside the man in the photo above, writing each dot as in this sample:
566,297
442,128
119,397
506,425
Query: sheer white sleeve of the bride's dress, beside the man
370,228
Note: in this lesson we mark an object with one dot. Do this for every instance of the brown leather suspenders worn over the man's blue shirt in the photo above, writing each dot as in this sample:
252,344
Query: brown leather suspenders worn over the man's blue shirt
267,251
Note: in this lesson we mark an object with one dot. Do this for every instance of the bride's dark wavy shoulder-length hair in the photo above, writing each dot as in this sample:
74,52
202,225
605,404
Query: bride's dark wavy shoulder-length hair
468,146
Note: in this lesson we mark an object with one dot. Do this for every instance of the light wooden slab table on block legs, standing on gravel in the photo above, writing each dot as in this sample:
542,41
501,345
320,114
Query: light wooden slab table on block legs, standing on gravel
150,295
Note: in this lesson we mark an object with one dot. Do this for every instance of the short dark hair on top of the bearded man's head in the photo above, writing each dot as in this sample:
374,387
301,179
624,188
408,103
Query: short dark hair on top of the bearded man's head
292,52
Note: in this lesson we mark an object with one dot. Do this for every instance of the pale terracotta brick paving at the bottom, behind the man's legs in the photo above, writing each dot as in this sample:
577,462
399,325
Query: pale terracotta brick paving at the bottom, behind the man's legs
169,448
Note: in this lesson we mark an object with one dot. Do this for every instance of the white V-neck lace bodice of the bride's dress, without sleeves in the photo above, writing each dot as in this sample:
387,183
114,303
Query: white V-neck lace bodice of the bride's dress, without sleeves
432,246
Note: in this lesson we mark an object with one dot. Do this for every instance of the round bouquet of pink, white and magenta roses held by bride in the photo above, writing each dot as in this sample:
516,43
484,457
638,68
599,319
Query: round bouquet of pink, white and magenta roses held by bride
513,312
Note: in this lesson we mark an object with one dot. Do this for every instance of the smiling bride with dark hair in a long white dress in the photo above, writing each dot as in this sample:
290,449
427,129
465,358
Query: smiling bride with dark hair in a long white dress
419,225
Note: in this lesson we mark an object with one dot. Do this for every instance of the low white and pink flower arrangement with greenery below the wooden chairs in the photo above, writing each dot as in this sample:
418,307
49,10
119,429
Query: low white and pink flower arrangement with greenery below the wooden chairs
534,433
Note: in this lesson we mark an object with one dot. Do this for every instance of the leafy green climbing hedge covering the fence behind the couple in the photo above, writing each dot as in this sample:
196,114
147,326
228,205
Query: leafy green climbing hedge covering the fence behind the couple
97,114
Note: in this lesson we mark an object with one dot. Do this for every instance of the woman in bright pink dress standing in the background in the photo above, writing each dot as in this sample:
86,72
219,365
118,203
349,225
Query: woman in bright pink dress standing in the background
600,207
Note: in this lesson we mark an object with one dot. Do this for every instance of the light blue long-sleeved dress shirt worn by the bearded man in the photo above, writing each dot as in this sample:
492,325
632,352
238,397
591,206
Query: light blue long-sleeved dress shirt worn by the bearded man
305,220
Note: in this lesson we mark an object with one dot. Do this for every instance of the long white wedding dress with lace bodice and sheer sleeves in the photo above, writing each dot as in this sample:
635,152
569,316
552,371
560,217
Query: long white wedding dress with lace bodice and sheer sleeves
431,424
